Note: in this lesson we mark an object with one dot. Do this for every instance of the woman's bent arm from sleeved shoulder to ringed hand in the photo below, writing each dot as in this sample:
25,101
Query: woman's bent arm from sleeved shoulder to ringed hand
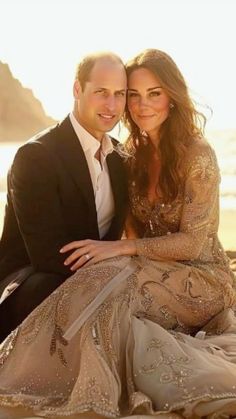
201,197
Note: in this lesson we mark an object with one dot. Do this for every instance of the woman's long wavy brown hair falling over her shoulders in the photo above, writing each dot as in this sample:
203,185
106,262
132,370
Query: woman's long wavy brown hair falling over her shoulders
183,125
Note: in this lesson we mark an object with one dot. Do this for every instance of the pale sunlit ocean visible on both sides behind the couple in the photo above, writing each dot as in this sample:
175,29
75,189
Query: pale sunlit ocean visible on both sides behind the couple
224,143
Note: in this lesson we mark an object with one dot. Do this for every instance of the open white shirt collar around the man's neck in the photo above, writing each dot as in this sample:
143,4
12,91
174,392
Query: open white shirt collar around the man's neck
88,141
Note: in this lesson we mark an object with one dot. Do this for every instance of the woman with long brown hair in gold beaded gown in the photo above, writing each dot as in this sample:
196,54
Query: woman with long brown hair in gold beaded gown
149,328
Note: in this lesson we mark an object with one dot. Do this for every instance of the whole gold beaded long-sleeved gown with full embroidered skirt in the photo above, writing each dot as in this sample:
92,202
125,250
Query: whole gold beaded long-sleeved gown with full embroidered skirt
140,336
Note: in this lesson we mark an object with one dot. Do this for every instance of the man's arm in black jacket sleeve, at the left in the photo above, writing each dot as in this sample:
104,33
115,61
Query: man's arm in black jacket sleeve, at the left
36,201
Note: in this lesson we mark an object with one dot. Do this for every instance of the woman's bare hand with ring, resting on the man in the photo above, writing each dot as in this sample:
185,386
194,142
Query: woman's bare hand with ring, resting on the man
92,251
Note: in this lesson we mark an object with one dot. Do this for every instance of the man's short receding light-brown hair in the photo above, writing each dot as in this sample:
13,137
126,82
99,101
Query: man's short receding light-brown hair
86,65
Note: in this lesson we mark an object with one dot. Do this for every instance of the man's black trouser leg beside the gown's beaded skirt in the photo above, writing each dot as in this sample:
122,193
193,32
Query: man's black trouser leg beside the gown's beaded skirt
15,308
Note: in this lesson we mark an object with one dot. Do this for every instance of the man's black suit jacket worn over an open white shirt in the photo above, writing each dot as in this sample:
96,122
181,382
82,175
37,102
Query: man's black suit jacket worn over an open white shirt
50,202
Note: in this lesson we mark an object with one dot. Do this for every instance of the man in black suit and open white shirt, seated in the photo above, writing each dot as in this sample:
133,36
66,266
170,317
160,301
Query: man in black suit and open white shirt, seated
68,183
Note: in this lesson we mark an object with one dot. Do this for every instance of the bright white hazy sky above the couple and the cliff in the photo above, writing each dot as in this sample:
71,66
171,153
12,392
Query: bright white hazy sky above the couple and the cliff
43,40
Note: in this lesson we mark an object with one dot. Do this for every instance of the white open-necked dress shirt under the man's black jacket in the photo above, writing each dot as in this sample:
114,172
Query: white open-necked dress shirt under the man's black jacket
99,174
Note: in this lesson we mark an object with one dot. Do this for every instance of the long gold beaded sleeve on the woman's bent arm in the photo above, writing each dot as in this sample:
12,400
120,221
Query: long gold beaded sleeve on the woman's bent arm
200,206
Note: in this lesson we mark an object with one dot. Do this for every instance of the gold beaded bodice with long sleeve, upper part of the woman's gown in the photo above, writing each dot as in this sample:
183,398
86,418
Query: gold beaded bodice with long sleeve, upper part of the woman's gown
185,229
